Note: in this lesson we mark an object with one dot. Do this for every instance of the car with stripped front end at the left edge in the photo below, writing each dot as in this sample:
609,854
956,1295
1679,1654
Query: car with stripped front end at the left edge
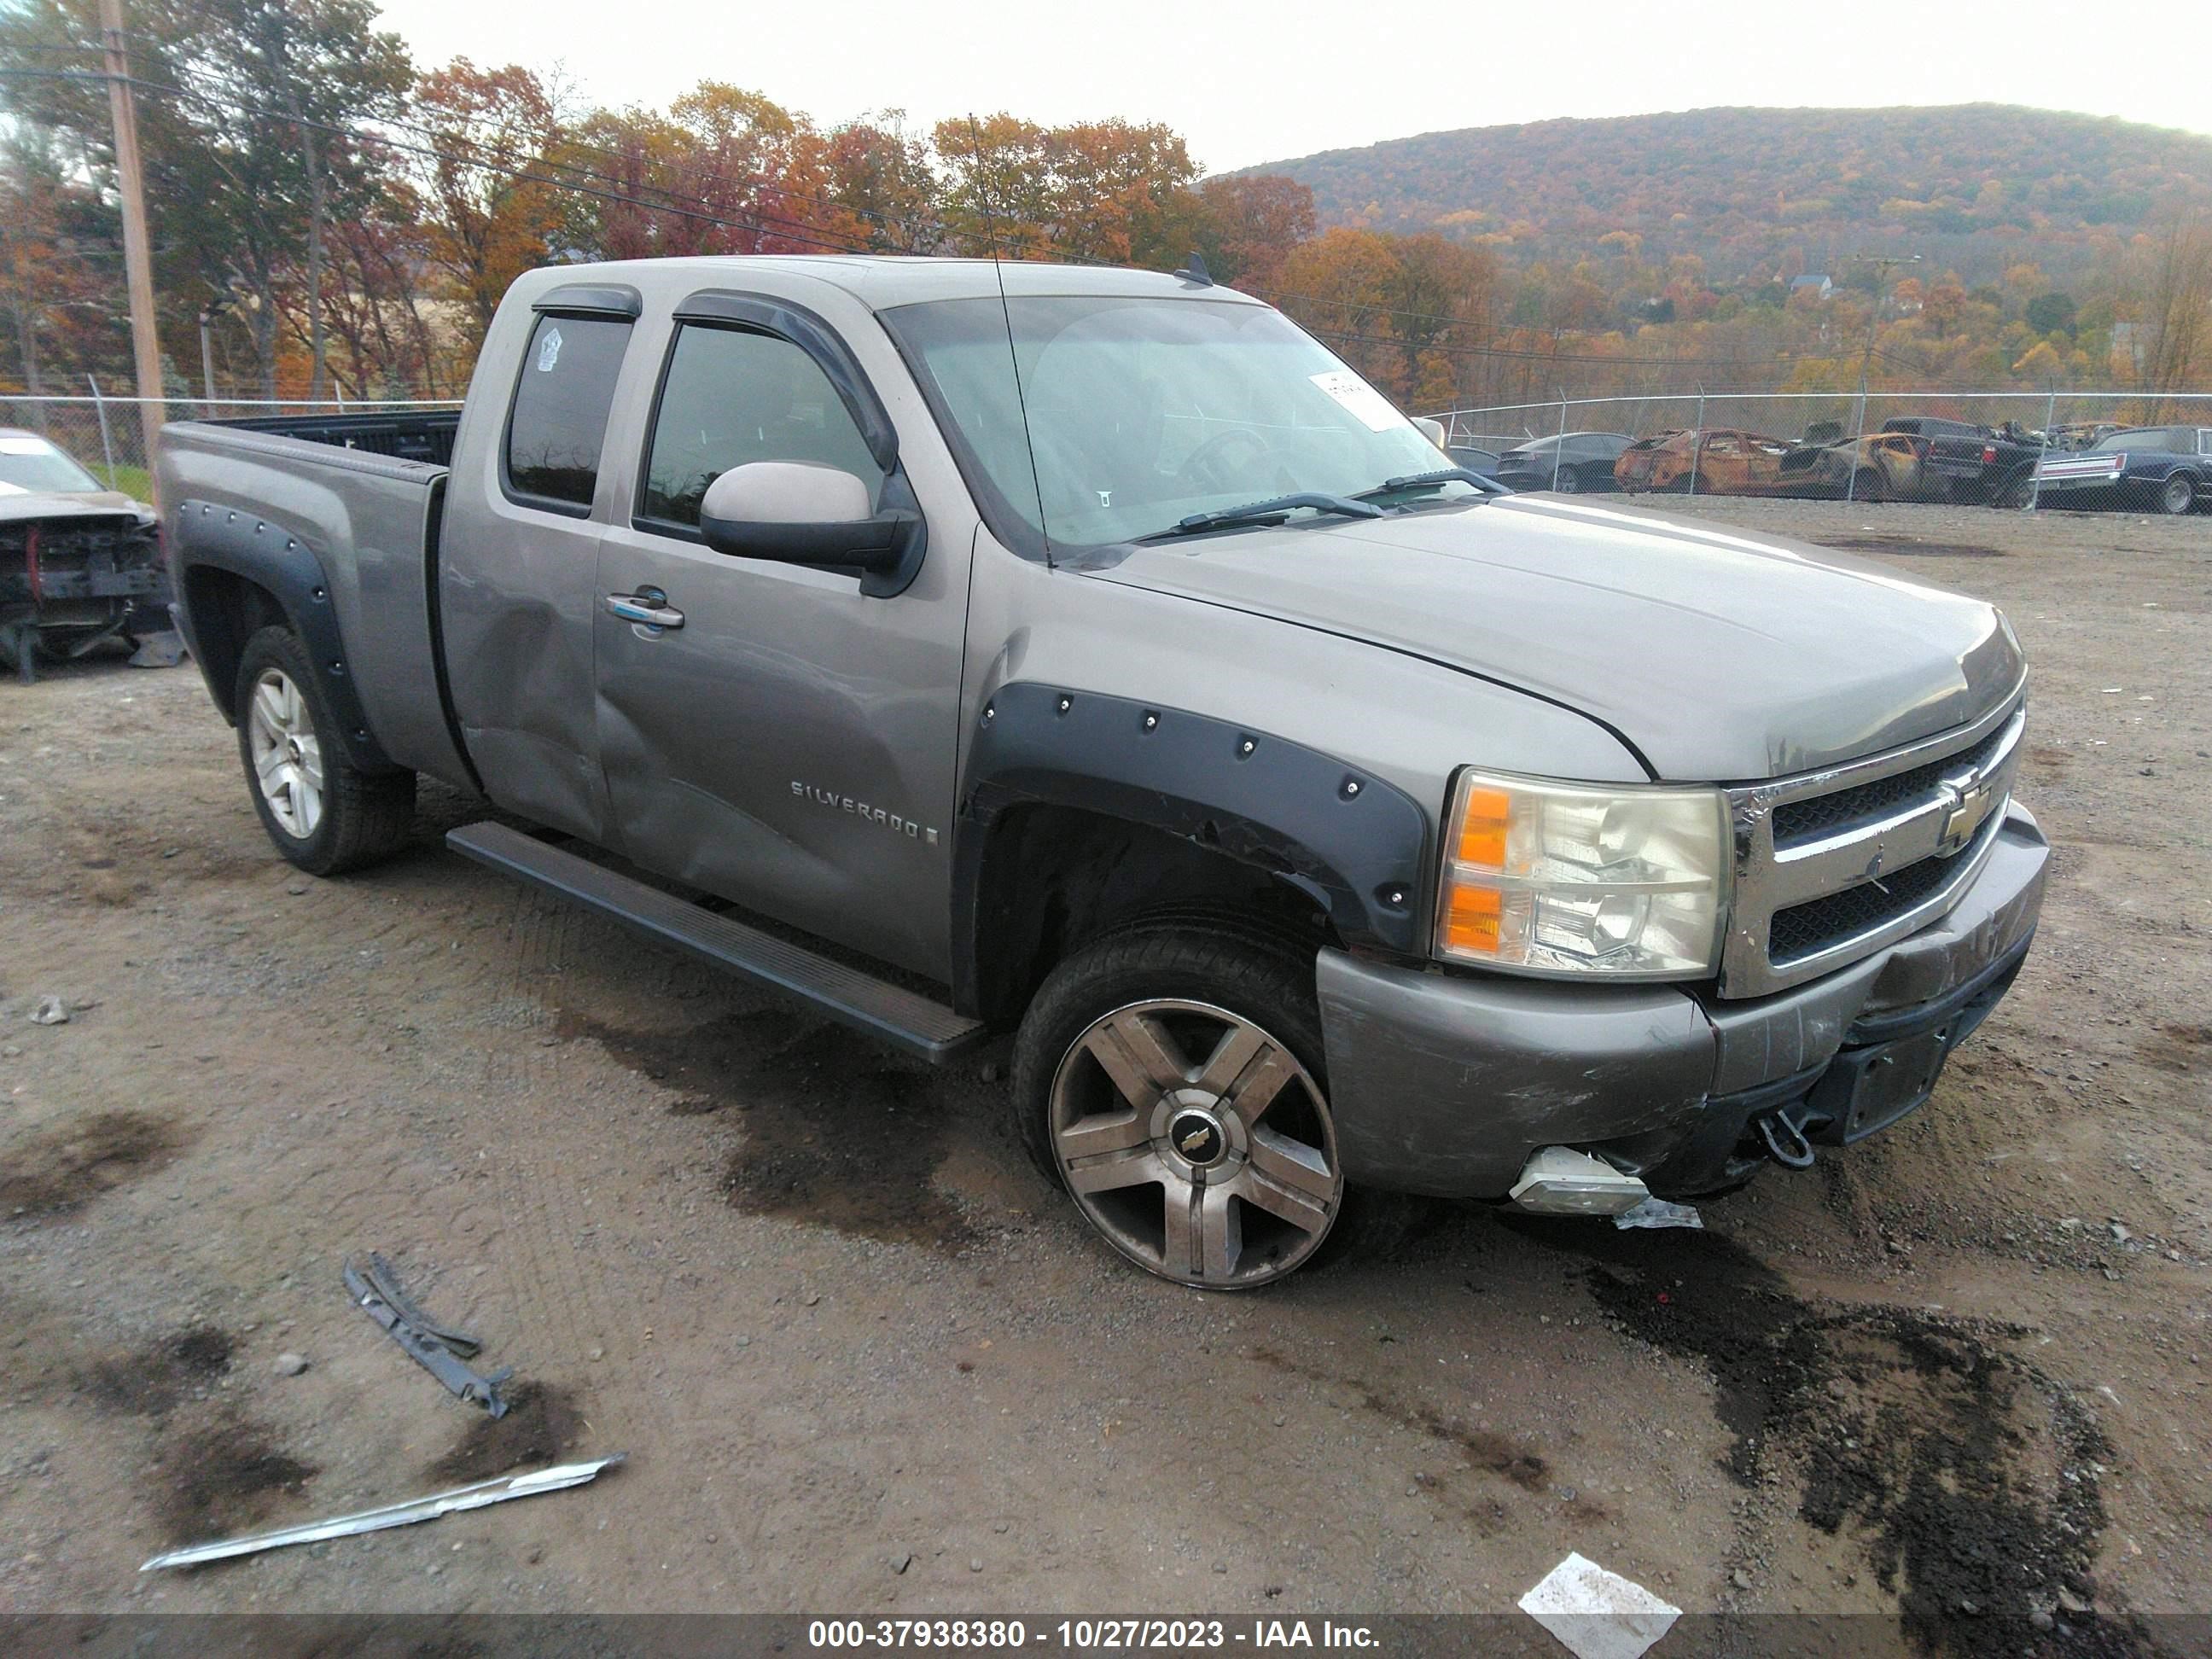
79,563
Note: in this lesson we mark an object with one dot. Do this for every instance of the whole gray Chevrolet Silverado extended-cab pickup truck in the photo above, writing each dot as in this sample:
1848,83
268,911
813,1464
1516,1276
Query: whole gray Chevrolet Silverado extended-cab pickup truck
1094,656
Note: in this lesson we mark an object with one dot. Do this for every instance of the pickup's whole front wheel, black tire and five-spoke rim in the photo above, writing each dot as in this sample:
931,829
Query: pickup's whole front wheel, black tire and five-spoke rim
1218,1087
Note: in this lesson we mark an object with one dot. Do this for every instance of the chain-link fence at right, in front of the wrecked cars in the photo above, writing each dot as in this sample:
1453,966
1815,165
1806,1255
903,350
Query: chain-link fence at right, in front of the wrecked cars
1848,426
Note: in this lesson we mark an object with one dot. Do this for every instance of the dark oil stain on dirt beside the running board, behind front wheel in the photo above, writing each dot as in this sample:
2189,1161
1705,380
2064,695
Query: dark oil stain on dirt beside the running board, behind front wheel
835,1134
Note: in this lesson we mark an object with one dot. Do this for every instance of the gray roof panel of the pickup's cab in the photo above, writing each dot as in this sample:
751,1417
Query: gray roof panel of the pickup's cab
881,282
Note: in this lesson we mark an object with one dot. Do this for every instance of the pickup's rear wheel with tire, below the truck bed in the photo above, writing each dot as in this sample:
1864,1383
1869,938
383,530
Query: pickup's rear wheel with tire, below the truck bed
320,811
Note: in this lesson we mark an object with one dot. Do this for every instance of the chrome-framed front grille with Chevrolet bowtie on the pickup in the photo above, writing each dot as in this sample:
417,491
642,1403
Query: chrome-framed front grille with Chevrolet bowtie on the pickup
1835,866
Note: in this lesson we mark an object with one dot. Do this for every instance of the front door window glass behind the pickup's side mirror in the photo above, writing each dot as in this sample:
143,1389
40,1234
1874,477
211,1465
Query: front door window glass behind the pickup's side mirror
733,397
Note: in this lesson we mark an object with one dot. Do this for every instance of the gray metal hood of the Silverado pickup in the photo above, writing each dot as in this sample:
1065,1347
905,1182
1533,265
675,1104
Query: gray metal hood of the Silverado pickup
1715,656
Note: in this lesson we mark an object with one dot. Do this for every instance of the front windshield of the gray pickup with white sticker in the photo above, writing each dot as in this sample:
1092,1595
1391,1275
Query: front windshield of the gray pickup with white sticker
1145,413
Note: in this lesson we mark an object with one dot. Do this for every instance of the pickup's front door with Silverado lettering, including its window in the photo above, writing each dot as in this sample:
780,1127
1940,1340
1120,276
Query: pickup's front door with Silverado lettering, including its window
780,740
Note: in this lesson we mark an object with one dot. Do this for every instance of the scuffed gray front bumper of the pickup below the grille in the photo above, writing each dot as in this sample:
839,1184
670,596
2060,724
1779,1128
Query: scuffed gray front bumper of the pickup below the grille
1448,1083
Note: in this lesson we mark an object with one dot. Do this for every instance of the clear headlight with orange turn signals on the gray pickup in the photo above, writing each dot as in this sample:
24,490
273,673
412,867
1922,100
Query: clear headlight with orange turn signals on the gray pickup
1574,879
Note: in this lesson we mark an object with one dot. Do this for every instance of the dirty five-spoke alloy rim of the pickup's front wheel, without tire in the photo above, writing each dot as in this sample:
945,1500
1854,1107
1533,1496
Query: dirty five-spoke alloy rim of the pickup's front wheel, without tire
1198,1145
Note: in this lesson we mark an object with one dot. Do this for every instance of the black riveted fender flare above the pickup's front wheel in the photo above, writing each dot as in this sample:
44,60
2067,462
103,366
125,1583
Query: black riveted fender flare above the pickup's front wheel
1353,842
